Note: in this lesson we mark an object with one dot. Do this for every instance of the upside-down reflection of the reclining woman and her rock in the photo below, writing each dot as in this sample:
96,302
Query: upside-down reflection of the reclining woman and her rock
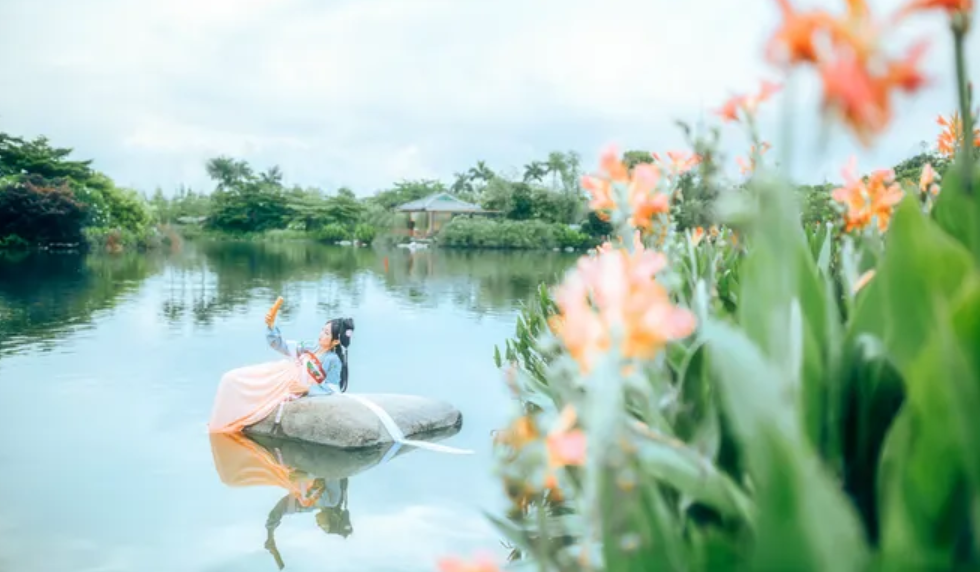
314,477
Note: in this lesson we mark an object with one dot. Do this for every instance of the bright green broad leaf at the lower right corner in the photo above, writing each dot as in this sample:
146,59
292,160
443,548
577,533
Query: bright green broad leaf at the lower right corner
930,468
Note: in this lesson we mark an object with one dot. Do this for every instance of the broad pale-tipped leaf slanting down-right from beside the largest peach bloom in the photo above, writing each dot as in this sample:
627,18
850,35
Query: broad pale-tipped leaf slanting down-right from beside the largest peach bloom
804,521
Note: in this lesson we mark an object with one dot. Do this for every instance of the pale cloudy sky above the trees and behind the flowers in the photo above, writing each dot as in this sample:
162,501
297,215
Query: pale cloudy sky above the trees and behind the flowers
363,94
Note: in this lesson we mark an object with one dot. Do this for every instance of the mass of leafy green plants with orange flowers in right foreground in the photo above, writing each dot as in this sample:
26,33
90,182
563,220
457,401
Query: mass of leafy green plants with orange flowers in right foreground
766,396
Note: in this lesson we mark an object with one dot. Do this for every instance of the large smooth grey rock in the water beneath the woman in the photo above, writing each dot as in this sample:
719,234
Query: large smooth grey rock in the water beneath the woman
340,422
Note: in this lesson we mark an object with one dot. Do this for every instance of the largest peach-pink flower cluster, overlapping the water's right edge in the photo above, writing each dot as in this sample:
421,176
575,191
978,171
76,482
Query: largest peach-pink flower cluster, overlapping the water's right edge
618,288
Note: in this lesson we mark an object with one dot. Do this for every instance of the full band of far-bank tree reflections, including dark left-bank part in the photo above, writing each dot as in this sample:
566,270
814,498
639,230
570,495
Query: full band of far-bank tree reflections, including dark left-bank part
44,296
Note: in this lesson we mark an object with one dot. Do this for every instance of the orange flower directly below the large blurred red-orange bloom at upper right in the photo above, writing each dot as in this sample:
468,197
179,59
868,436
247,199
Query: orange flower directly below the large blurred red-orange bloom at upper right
870,200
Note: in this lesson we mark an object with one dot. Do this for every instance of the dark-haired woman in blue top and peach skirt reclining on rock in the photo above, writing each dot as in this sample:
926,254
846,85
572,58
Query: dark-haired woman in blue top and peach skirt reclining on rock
249,394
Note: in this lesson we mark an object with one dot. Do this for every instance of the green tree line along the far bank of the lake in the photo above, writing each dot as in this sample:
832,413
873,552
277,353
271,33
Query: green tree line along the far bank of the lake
48,198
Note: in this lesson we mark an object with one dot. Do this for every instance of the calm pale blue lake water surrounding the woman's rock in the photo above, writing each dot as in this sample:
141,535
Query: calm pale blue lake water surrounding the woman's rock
108,368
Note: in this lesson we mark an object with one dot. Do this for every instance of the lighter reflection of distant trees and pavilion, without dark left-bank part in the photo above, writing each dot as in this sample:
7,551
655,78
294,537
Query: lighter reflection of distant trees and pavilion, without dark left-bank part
216,279
